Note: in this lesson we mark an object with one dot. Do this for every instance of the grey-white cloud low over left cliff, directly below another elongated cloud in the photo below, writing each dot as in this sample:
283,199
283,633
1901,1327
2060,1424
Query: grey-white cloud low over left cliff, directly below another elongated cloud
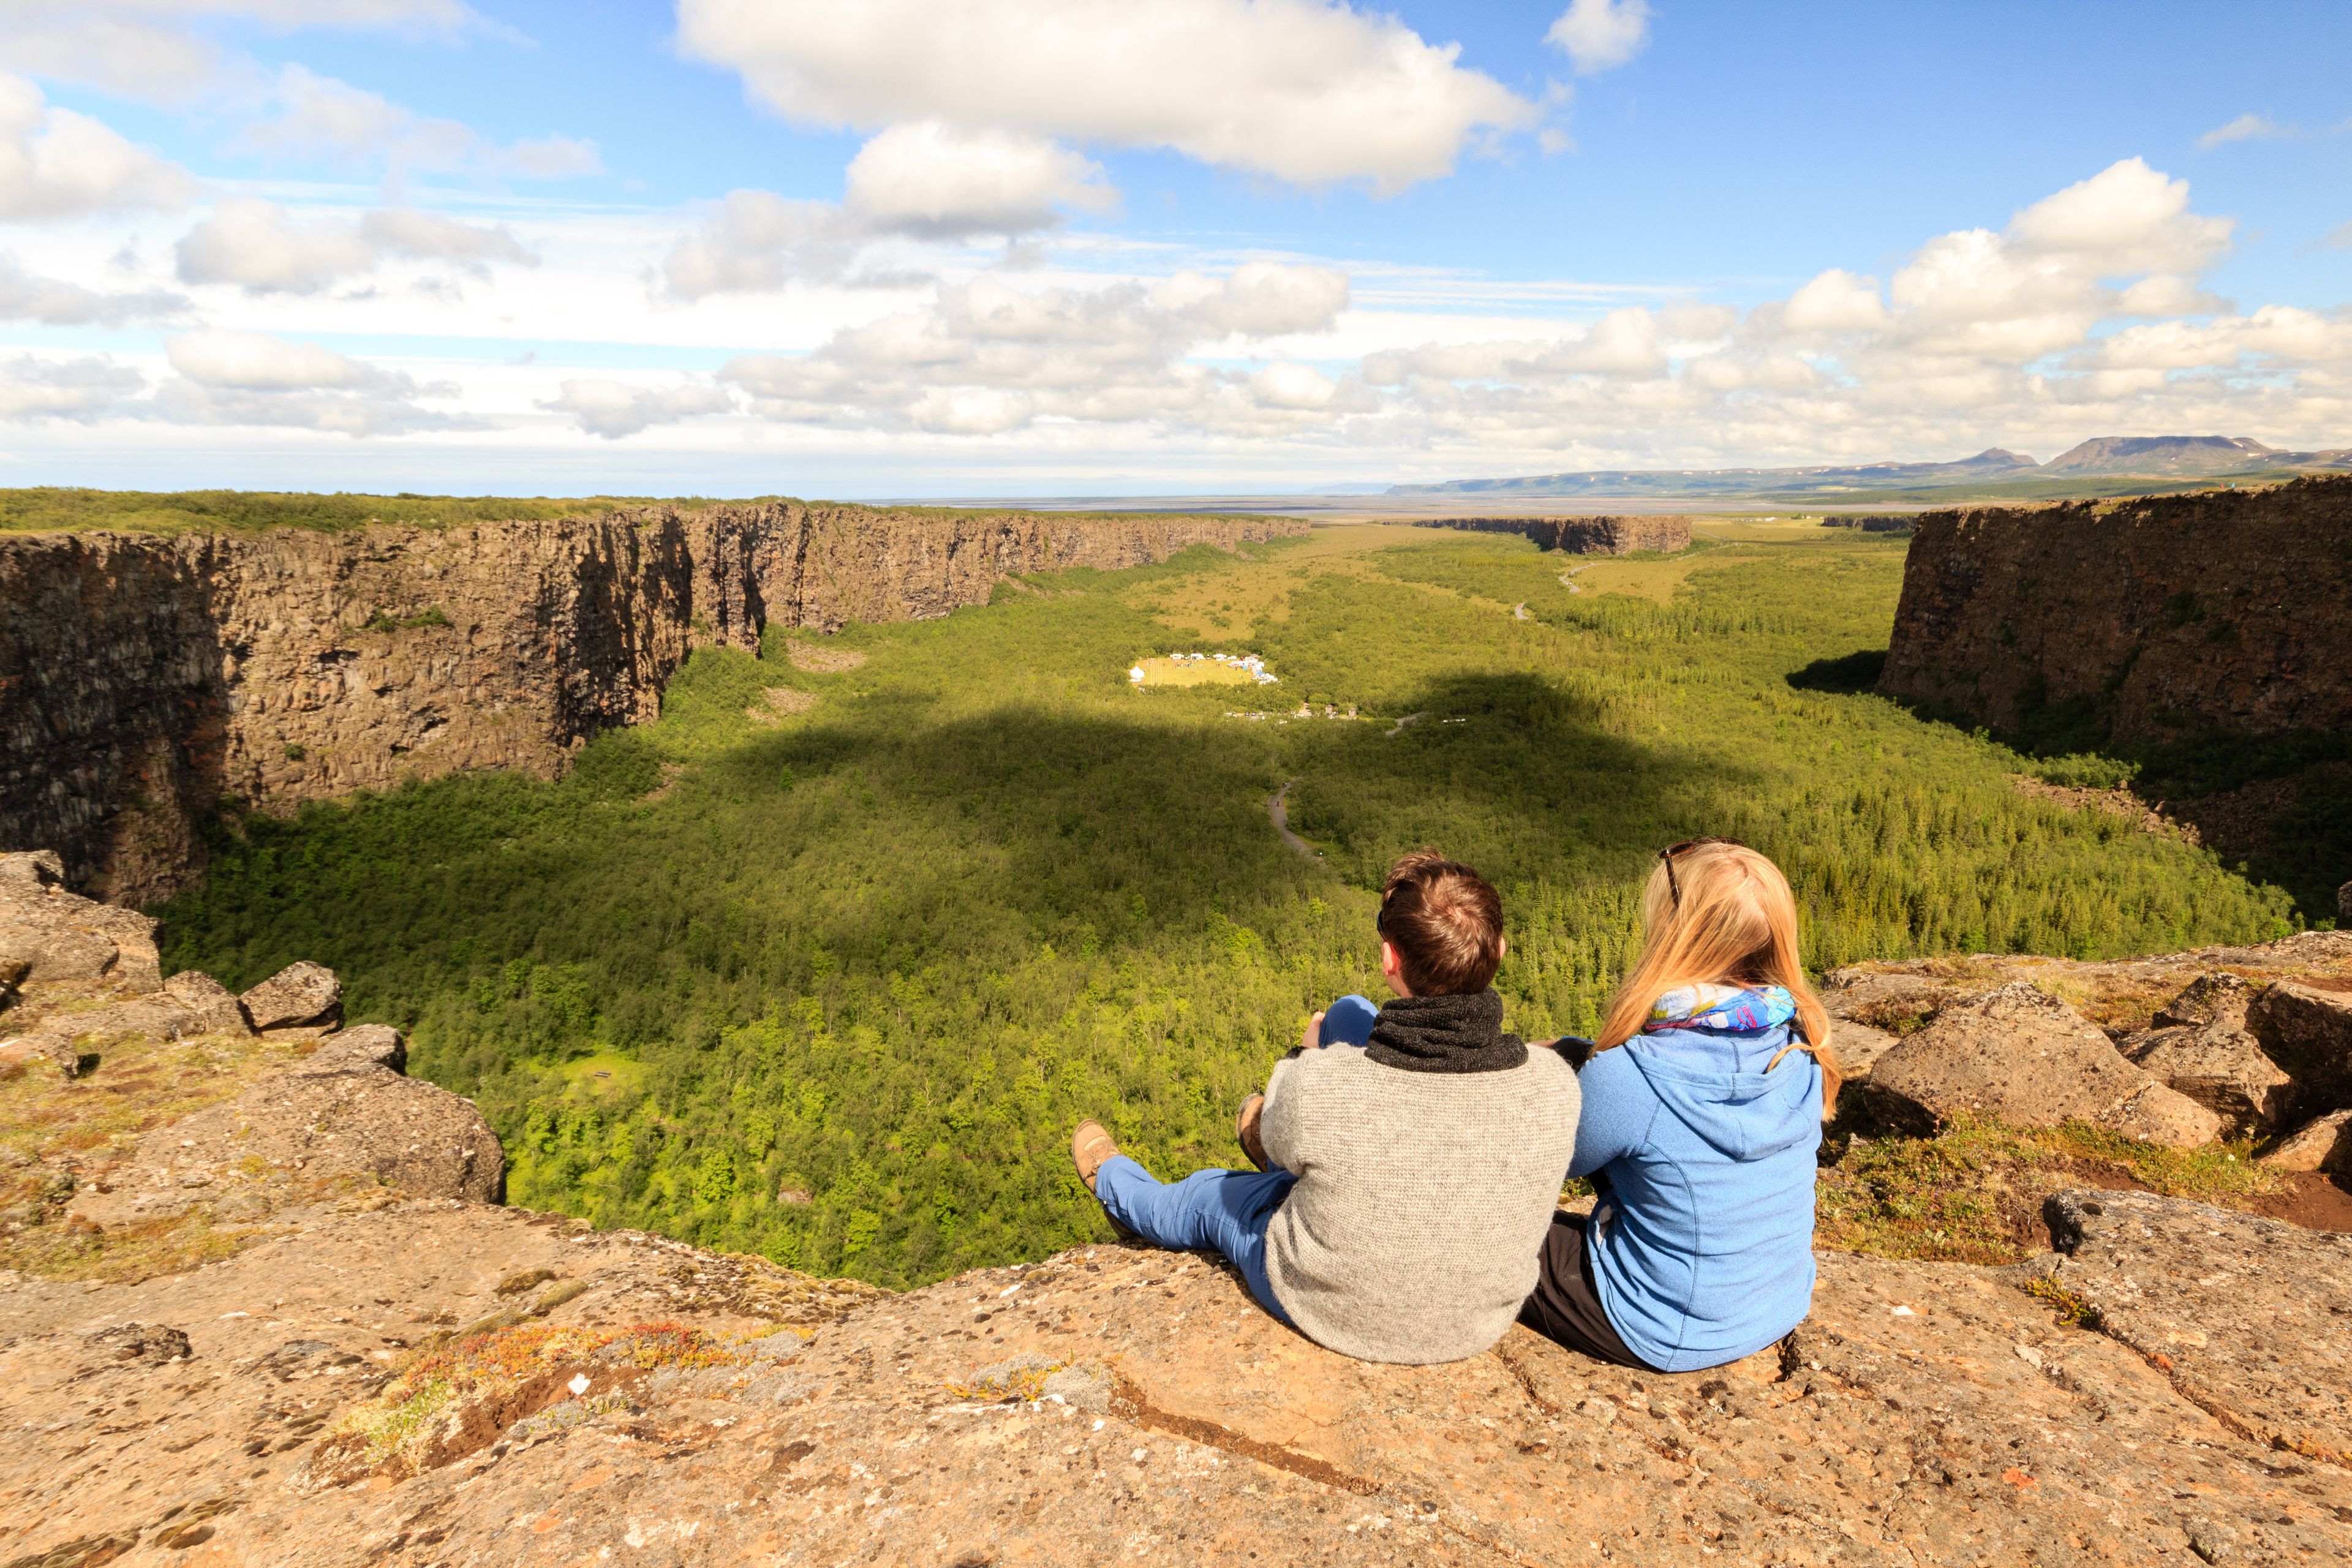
260,380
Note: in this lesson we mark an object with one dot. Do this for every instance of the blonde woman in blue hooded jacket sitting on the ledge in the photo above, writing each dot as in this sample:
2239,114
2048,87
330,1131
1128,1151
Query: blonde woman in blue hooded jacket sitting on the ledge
1702,1120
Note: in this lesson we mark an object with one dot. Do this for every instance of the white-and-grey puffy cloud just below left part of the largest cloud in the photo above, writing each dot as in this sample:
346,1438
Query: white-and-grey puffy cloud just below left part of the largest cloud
918,182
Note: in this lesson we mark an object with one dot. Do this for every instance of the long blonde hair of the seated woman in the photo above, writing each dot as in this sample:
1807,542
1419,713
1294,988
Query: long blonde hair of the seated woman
1720,916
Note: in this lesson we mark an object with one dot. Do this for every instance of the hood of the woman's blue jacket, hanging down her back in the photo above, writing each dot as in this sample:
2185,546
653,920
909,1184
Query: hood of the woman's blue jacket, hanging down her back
1718,1087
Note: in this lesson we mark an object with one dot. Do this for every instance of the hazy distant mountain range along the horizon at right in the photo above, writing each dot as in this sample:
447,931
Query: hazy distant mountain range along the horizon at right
2158,457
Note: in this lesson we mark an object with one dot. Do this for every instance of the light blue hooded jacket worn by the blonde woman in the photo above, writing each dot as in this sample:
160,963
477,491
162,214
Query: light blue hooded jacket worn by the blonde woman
1704,1240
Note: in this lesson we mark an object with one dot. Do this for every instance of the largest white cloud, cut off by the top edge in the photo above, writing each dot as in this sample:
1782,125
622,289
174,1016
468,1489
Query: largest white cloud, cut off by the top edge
1304,91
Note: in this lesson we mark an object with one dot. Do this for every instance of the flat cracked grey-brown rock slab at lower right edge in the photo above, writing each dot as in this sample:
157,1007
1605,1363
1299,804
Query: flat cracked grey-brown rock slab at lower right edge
2243,1315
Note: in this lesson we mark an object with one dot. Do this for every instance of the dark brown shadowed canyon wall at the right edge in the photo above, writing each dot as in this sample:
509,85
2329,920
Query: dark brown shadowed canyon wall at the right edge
2149,619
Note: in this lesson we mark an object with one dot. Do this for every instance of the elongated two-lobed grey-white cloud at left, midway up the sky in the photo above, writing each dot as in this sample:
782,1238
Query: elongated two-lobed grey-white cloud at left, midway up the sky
265,250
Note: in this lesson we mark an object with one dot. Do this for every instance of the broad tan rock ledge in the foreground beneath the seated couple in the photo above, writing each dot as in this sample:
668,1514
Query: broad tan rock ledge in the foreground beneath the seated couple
460,1383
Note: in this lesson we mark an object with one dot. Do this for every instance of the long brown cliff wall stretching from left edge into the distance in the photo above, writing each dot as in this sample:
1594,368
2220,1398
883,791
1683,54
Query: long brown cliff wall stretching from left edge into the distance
147,678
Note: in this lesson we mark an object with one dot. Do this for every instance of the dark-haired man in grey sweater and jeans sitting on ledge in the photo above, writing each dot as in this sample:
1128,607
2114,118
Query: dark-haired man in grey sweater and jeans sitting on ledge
1410,1181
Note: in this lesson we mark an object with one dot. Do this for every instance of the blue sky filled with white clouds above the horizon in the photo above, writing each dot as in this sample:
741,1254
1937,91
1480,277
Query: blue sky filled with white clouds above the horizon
1194,246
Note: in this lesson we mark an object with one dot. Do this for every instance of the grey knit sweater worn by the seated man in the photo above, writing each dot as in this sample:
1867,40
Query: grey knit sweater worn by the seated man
1422,1198
